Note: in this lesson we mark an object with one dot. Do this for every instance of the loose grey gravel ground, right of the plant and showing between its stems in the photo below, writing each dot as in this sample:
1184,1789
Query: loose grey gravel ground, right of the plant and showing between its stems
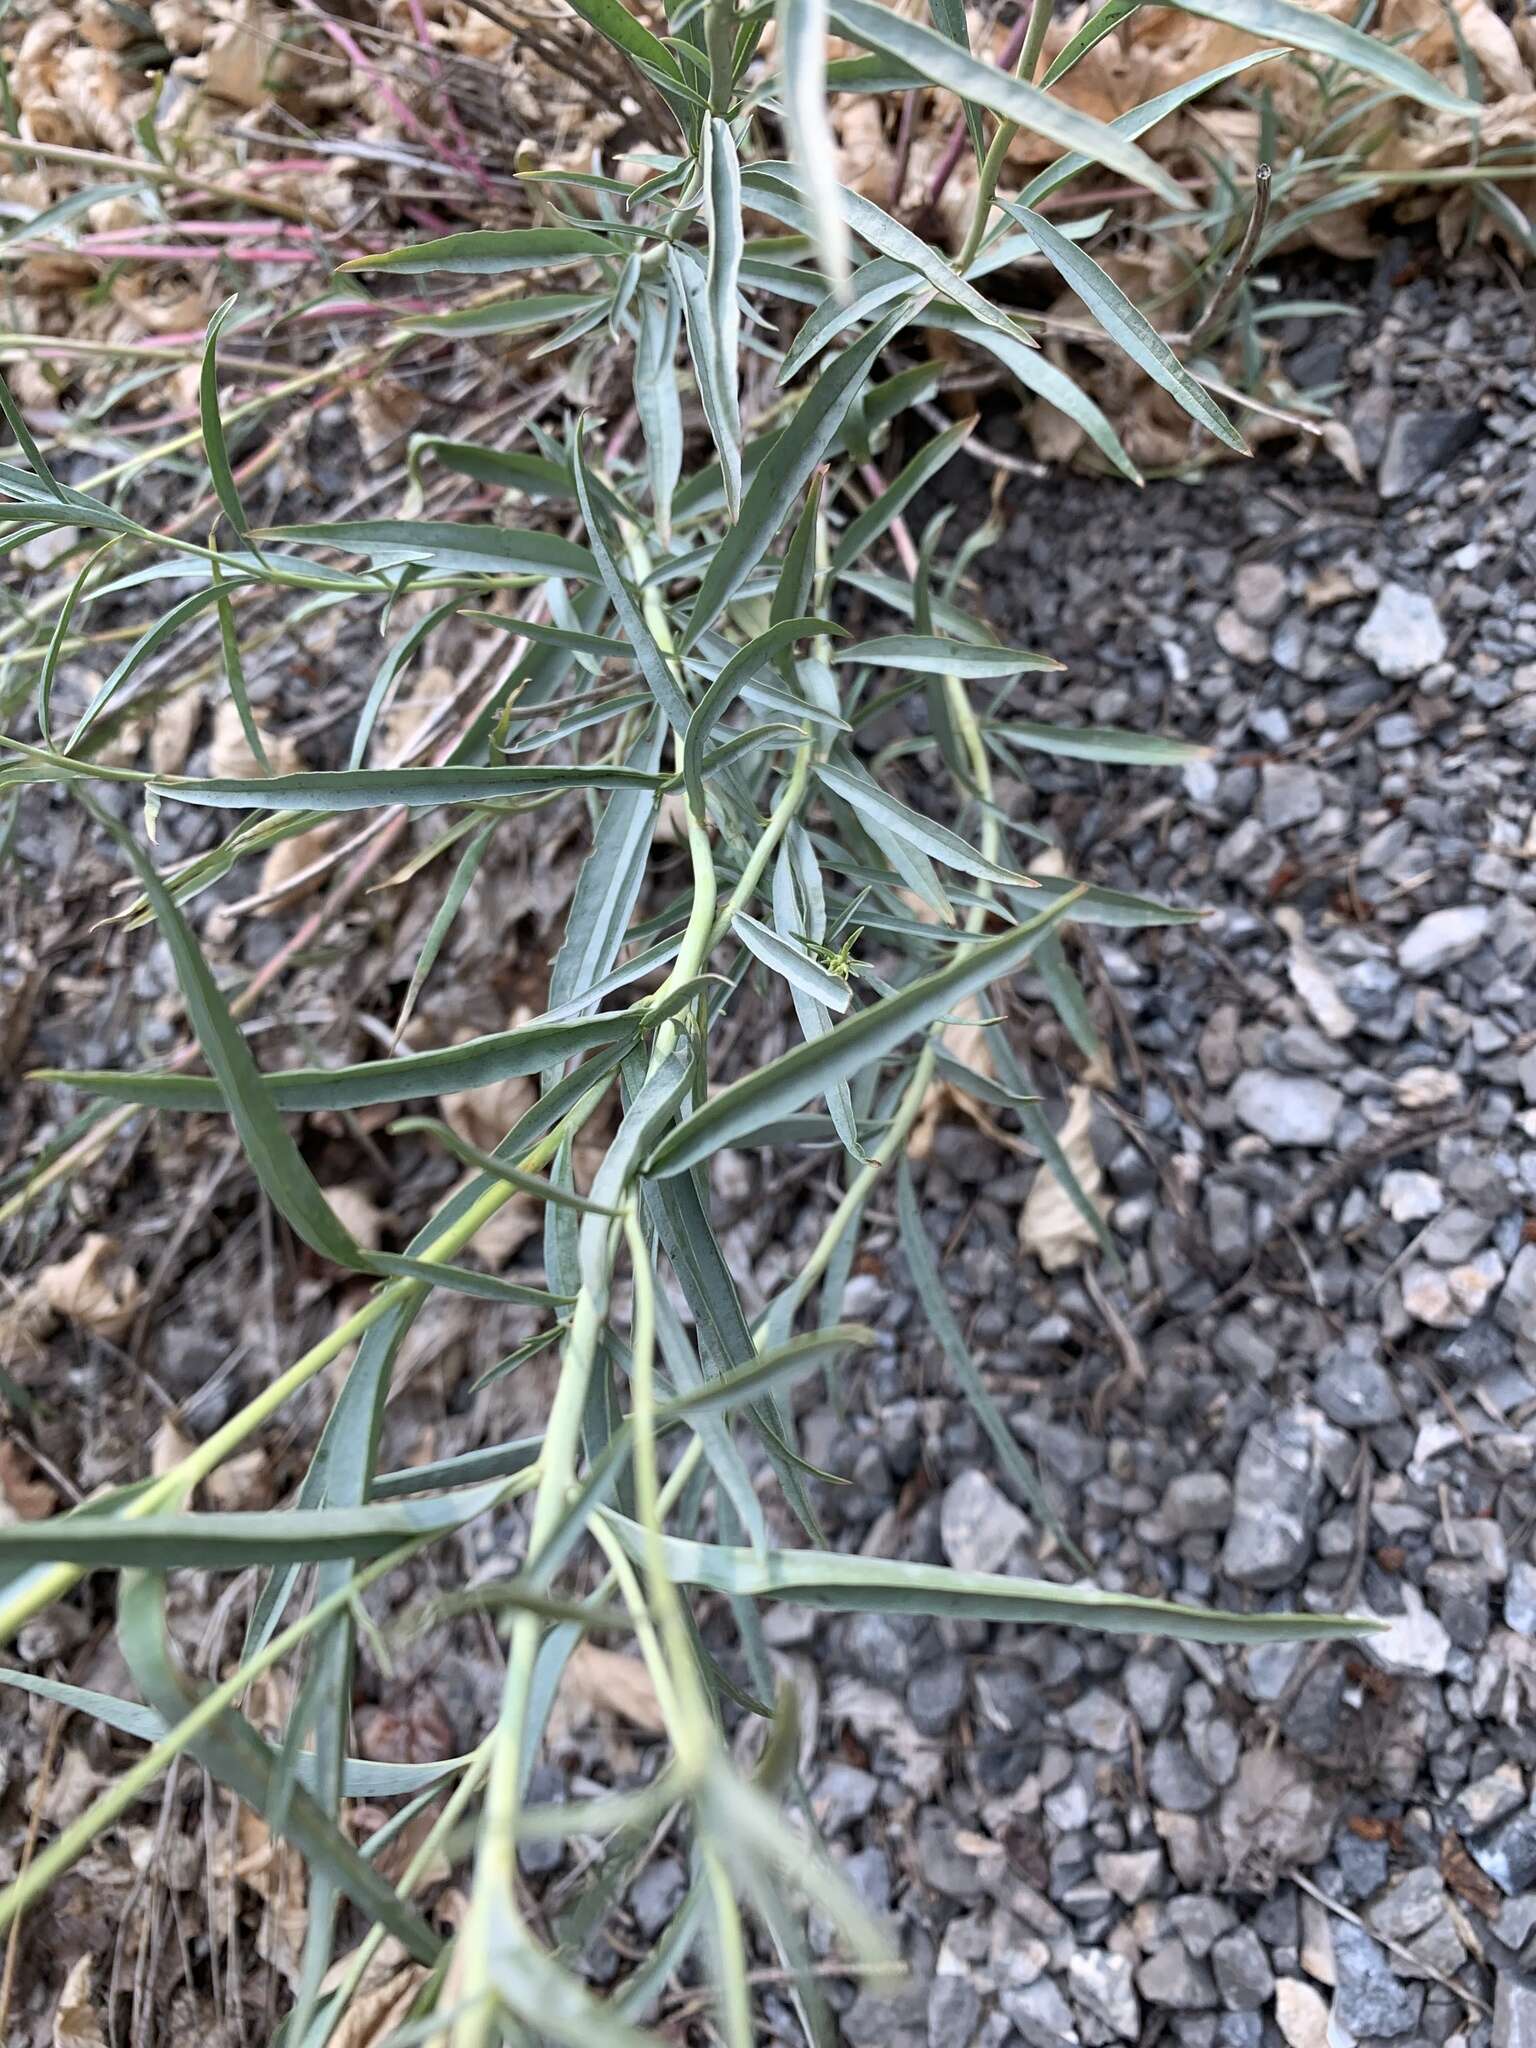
1314,1385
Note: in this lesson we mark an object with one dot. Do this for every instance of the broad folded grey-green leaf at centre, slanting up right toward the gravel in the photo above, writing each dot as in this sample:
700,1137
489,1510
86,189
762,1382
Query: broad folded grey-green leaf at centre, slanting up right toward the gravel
792,1080
